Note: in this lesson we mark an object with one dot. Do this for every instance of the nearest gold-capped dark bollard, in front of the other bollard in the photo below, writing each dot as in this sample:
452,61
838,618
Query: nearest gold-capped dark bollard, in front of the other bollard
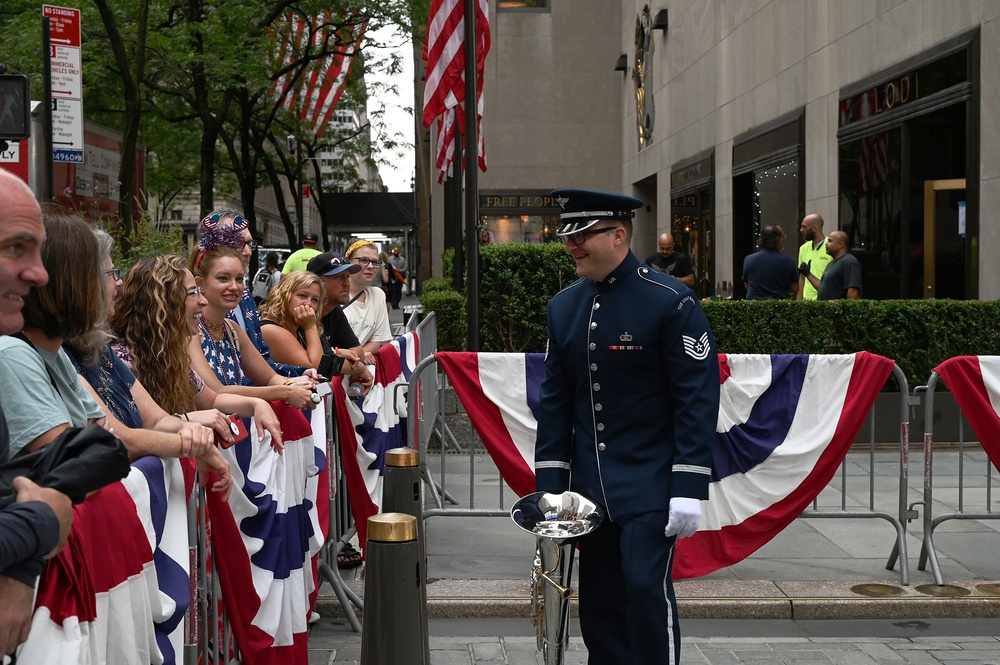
394,594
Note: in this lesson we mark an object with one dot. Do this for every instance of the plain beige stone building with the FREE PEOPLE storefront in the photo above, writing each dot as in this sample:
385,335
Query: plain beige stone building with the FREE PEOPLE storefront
551,118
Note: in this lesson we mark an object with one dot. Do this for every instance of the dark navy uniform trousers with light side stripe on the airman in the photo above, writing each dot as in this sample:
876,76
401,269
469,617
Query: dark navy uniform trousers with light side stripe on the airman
628,611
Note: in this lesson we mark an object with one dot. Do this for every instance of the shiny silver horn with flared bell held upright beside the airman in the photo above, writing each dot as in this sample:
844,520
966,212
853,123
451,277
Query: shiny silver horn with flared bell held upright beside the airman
556,520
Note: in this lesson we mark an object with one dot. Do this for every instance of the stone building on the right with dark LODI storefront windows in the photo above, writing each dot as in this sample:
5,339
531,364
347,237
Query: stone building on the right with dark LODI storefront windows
880,115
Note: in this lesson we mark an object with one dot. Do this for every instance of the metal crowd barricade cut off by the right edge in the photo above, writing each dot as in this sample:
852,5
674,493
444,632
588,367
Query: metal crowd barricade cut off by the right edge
964,487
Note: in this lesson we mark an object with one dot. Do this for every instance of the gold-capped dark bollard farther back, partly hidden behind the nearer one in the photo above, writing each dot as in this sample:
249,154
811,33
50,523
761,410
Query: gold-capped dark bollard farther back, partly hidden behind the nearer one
402,492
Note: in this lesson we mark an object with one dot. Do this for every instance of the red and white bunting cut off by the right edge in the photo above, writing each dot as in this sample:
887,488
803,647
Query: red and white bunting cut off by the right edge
975,383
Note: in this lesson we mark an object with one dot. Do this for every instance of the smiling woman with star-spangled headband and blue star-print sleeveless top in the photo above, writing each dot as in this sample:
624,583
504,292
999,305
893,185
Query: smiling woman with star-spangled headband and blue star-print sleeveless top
222,354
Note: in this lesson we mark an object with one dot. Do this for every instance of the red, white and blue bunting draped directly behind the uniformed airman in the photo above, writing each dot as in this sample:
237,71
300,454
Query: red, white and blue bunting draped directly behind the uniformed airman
774,451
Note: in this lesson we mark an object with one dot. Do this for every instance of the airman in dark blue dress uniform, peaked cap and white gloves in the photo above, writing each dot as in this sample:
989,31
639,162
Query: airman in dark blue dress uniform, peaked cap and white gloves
628,410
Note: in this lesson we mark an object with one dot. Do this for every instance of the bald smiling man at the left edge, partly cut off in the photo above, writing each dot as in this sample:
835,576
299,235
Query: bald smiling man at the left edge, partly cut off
36,526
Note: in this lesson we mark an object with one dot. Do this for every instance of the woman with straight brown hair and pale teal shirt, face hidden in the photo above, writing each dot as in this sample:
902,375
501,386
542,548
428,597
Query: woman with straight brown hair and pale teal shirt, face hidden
41,392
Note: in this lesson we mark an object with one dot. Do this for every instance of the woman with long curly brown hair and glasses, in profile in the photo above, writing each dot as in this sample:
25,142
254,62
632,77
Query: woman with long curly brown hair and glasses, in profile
153,339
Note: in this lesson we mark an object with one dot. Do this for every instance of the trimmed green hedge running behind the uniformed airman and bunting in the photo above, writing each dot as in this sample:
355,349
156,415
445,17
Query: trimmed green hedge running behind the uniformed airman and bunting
517,280
